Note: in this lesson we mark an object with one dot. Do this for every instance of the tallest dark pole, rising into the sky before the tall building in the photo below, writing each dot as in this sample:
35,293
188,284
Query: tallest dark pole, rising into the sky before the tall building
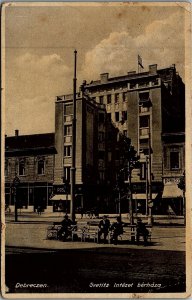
73,166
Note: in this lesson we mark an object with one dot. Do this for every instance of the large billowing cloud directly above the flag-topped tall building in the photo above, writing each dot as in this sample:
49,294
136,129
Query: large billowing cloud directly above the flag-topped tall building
162,42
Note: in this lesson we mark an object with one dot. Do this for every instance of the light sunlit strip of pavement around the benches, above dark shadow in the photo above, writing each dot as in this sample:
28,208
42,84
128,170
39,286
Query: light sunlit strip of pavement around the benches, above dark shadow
33,235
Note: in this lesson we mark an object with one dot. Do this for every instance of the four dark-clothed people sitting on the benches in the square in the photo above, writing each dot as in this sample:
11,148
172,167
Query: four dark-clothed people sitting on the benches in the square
105,227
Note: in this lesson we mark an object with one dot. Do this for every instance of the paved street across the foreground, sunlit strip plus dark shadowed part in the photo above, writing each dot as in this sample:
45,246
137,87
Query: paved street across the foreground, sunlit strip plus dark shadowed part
88,267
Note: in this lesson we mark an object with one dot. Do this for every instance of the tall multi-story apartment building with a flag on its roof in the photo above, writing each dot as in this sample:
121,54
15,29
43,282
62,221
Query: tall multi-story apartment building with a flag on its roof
147,107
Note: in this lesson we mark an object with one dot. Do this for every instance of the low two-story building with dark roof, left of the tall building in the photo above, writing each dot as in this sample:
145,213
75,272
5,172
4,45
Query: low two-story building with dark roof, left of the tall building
32,159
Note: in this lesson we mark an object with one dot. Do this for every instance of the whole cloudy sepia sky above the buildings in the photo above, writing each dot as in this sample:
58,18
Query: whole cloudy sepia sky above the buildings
39,51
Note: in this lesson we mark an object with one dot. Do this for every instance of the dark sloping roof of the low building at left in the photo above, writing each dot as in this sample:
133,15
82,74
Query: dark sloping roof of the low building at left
30,144
